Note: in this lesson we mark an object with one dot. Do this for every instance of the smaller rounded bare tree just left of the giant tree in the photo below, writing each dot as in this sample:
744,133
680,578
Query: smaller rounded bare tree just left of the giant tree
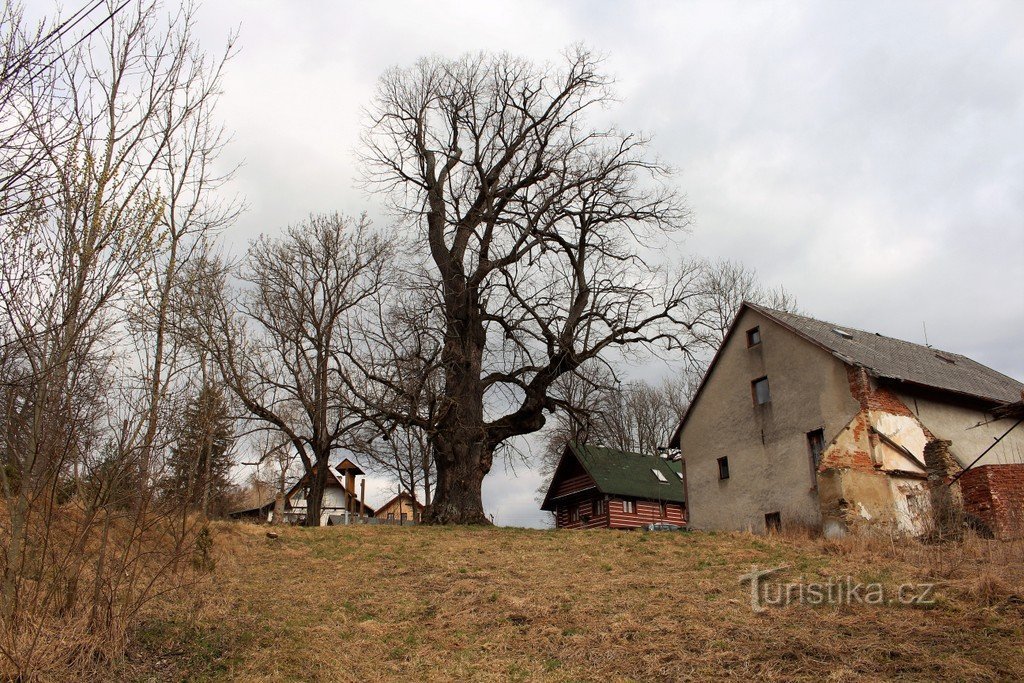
281,341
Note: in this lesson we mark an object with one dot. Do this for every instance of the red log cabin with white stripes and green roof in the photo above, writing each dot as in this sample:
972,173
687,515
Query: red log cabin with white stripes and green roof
599,488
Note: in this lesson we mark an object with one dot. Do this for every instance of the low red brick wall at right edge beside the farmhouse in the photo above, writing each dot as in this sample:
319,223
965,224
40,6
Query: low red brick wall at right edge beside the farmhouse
995,494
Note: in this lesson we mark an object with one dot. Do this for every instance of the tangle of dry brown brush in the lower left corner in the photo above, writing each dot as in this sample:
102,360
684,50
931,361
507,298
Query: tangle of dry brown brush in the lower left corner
86,580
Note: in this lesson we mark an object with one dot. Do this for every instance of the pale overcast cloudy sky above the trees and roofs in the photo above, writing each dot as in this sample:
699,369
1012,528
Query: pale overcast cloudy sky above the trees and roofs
868,156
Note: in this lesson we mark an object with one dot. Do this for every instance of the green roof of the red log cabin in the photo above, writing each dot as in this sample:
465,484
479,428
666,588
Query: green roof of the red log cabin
629,475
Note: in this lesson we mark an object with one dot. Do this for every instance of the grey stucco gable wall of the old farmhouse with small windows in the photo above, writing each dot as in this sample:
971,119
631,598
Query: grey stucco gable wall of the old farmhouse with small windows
770,460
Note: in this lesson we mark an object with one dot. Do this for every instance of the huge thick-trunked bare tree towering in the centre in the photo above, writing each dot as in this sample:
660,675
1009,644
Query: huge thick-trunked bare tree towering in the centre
533,226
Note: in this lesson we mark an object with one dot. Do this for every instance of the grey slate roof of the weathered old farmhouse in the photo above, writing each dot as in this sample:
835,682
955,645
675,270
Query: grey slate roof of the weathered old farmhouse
902,361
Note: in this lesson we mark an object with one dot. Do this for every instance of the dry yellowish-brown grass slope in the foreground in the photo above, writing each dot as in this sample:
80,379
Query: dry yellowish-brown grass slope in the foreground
499,605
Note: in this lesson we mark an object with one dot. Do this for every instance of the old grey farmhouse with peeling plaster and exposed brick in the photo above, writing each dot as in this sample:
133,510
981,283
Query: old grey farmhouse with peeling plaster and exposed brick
810,423
